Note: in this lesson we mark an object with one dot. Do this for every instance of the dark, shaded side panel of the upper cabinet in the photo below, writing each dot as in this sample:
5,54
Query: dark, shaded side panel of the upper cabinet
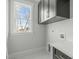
63,8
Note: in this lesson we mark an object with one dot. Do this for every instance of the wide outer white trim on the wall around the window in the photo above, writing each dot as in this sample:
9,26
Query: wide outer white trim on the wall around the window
13,25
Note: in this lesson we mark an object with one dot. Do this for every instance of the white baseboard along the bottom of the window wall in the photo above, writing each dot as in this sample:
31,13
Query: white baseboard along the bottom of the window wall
26,52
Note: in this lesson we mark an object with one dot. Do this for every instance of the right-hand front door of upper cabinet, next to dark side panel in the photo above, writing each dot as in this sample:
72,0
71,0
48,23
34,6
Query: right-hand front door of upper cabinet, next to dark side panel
49,9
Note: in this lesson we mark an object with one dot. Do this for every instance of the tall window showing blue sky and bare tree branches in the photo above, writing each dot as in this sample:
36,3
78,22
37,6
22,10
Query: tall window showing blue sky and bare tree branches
23,17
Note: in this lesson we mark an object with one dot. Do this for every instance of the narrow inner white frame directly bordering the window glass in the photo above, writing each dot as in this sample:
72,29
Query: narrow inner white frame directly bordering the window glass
31,14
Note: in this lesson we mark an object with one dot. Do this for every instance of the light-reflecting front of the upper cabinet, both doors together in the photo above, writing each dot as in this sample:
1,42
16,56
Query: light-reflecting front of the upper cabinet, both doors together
47,9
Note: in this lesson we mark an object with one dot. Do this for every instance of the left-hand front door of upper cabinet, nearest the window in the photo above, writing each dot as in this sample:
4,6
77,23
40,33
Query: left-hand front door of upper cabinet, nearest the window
43,10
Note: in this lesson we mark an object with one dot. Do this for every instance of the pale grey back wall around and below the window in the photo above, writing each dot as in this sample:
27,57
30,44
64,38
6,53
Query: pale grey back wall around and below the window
24,41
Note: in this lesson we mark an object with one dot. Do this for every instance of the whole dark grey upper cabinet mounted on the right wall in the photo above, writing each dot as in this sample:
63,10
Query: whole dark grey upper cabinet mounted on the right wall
51,11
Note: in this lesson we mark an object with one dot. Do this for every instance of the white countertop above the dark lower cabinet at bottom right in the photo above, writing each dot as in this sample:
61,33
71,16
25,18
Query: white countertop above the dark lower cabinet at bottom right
64,46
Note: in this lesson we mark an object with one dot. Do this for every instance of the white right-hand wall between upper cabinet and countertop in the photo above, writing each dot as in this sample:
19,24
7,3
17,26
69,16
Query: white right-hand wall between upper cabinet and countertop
60,27
